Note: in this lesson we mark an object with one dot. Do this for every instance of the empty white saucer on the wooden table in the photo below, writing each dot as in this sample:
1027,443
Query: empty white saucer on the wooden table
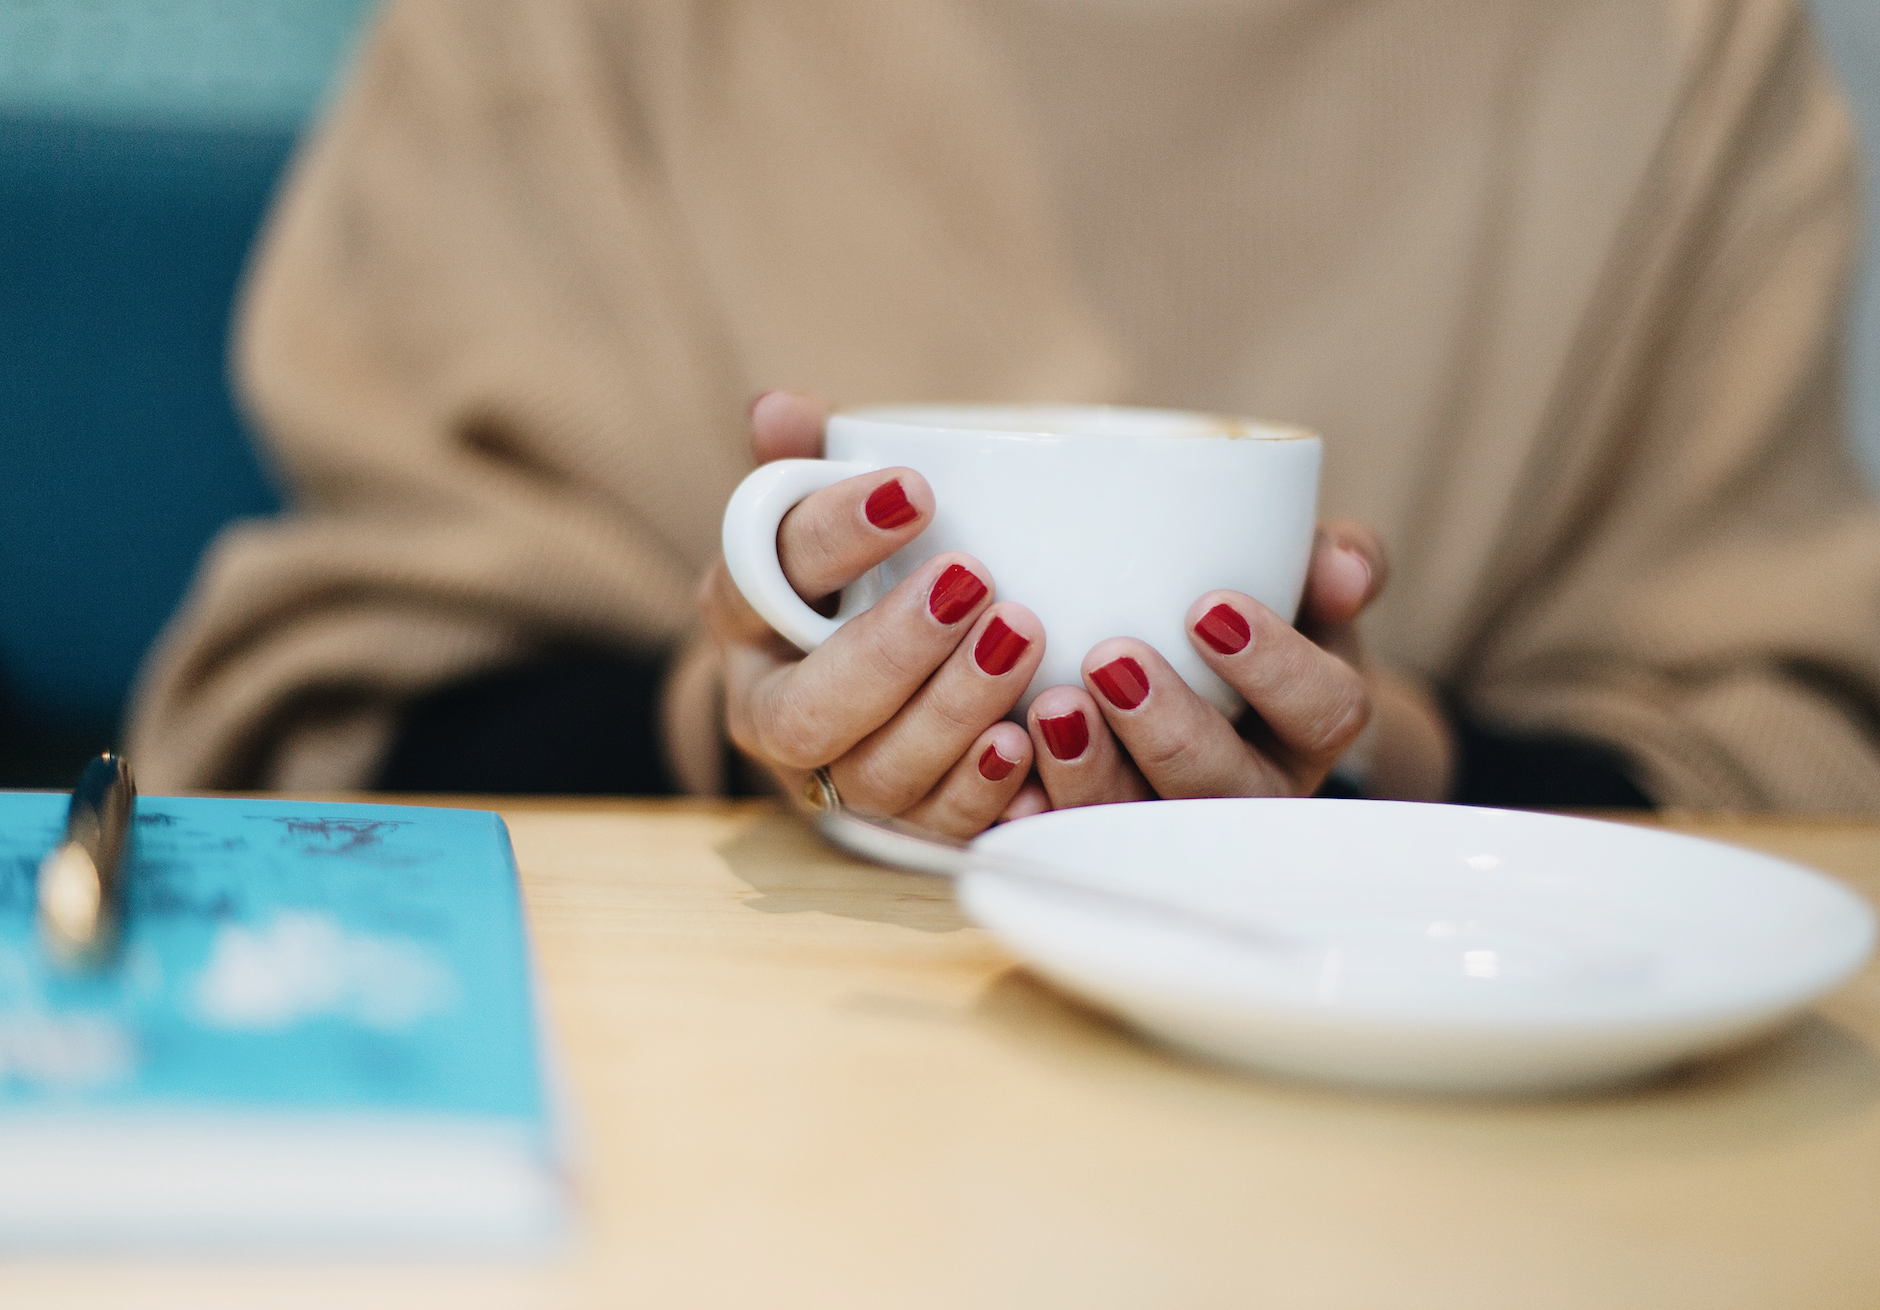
1424,946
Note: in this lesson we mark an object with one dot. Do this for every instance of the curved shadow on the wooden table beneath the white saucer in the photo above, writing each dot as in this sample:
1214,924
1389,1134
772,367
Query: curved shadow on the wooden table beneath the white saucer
1806,1078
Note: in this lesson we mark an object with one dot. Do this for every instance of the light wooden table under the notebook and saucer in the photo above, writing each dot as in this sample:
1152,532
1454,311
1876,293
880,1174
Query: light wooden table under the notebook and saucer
811,1084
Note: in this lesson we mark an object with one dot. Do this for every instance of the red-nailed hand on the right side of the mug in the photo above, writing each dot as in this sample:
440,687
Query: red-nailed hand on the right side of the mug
1136,730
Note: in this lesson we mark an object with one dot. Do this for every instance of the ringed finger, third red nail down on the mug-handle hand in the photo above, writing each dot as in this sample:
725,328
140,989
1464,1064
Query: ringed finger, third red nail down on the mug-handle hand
979,685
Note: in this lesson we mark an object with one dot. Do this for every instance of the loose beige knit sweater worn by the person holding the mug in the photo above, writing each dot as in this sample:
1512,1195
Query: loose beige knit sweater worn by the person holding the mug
1561,283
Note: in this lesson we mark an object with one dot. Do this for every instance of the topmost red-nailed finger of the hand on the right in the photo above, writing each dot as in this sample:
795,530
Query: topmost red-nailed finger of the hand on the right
1313,702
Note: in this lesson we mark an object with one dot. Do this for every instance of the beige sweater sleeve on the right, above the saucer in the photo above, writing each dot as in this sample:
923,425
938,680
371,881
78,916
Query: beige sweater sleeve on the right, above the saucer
1708,599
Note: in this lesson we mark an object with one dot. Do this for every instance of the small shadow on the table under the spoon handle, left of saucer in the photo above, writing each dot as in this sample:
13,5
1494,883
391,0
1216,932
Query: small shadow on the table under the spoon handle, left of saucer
796,871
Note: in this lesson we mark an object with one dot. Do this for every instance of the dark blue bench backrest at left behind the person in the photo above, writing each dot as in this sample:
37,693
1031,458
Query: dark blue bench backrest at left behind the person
119,257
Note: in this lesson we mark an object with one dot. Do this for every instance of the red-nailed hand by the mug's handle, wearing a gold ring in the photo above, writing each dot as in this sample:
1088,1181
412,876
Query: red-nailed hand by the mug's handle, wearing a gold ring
907,702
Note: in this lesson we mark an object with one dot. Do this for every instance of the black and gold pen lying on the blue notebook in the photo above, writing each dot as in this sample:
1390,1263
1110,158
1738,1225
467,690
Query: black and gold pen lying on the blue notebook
82,881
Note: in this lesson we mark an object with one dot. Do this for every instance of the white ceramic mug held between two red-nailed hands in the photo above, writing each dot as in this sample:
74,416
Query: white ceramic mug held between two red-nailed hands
1103,522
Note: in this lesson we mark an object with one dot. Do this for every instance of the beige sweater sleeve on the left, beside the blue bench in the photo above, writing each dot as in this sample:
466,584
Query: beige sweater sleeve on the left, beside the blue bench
469,349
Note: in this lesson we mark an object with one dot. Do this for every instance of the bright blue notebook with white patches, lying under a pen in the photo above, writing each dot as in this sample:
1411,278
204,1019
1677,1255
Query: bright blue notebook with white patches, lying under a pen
321,1031
